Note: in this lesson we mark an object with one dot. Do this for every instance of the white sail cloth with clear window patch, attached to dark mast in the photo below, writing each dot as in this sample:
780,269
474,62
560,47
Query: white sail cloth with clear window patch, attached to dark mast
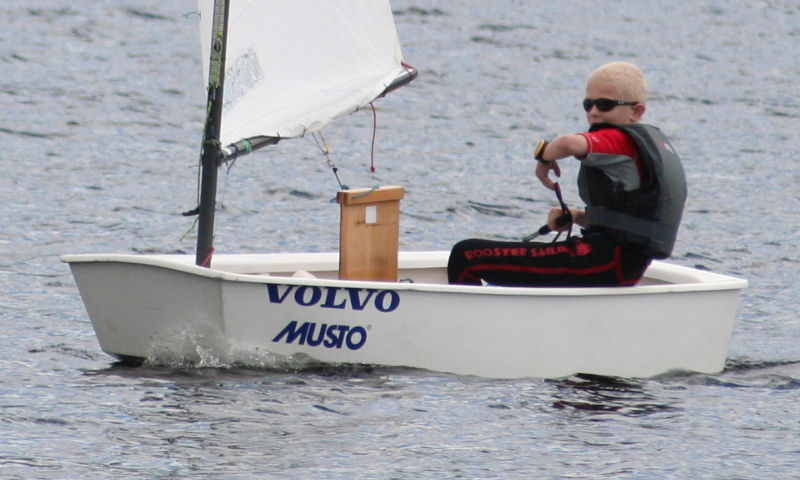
292,66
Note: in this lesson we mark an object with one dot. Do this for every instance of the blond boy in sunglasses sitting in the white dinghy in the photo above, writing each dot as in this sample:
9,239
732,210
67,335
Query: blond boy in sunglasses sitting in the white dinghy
631,181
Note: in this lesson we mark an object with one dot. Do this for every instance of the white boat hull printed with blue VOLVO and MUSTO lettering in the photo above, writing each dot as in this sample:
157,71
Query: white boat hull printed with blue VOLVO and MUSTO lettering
163,307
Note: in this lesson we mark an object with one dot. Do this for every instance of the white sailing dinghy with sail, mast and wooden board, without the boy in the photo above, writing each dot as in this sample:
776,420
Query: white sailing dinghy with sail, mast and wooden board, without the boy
368,303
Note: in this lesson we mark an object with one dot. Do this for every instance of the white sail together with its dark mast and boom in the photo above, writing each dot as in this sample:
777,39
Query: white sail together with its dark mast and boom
325,69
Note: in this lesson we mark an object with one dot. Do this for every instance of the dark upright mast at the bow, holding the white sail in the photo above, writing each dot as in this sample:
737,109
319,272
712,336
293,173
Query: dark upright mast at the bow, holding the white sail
211,148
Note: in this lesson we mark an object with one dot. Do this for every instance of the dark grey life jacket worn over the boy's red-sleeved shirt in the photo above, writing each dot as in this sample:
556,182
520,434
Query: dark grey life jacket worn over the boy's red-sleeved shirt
643,215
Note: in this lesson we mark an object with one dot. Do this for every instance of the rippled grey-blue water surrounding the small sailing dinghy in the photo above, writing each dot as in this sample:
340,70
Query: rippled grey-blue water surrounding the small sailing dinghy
102,106
